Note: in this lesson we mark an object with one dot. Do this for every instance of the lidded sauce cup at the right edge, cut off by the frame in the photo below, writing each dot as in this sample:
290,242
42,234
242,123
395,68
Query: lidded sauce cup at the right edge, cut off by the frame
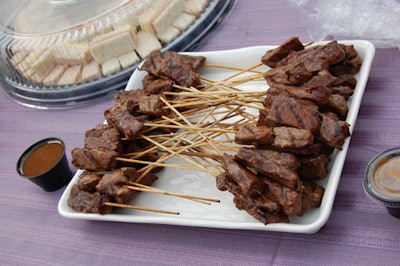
382,180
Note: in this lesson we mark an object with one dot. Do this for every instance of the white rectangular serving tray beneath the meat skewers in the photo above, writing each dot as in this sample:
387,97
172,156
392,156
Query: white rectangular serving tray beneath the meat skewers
225,214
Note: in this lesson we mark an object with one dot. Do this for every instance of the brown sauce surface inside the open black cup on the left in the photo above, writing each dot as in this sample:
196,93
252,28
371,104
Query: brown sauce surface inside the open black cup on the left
42,159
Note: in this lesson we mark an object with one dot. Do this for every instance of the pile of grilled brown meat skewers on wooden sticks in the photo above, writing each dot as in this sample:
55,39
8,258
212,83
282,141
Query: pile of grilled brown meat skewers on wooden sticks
268,158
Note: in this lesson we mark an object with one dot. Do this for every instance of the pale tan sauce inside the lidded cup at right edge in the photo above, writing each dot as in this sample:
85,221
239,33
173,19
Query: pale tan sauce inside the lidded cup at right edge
386,178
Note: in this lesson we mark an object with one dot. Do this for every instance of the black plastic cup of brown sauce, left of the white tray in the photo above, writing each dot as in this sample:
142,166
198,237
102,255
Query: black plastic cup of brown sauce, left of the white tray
45,164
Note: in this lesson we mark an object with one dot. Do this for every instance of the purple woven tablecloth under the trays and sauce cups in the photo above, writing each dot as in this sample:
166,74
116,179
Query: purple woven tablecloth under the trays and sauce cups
359,231
